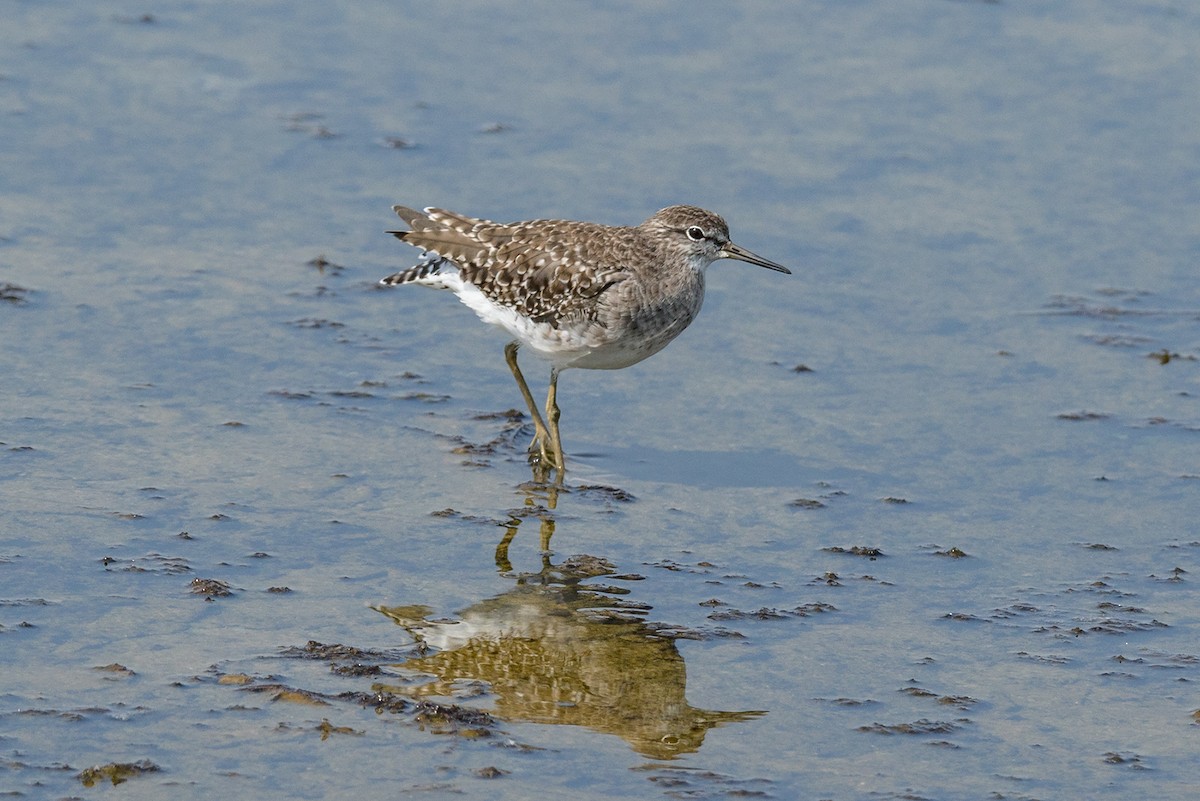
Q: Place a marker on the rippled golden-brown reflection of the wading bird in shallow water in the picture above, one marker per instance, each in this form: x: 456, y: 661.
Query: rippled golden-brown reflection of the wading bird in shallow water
x: 560, y: 648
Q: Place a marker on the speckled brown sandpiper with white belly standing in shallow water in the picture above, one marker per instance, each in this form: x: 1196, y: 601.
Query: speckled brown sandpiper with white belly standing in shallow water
x: 578, y: 294
